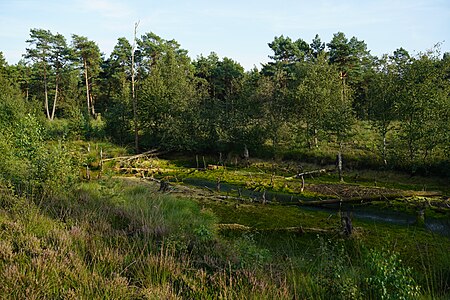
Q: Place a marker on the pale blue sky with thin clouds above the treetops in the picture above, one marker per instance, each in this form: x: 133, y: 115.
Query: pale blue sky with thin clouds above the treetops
x: 237, y: 29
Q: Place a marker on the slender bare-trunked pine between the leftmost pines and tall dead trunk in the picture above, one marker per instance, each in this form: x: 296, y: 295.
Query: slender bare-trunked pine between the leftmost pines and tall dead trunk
x: 90, y: 57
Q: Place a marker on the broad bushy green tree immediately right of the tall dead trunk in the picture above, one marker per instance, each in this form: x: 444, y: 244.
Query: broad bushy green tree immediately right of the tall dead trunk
x: 167, y: 96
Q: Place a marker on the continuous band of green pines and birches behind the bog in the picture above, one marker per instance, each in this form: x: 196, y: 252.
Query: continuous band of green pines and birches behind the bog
x: 149, y: 93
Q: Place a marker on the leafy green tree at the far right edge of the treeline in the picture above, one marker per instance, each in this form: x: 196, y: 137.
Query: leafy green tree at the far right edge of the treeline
x: 423, y: 107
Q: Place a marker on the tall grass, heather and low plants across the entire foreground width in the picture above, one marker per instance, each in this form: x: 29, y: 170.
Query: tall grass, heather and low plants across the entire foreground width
x: 121, y: 239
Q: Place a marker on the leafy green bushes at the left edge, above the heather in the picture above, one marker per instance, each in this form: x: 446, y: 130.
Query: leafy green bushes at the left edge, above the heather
x: 27, y: 163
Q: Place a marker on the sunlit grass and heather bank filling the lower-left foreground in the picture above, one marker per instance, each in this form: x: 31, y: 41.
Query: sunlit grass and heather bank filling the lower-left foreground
x: 118, y: 239
